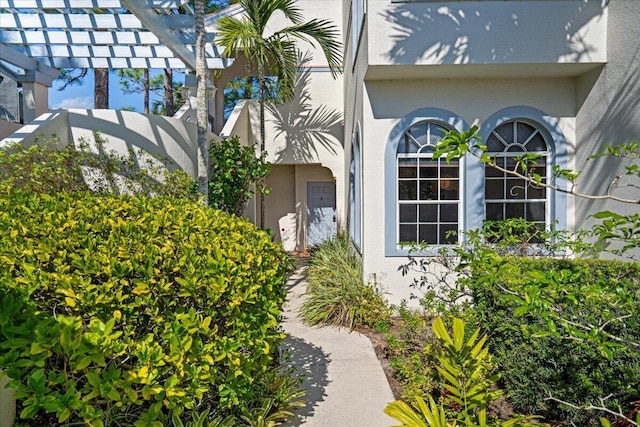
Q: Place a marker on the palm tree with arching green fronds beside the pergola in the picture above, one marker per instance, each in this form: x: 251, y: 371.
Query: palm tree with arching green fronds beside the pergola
x: 276, y: 54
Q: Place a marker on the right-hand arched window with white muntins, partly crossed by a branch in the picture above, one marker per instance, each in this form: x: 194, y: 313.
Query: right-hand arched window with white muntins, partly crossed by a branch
x: 506, y: 196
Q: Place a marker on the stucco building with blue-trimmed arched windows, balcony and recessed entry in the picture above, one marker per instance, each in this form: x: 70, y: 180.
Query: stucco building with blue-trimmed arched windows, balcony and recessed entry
x: 556, y: 78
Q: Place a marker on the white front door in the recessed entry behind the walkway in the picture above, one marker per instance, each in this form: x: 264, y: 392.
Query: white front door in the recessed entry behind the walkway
x: 321, y: 212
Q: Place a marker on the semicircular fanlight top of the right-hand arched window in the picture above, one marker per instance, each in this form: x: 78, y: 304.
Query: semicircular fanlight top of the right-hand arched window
x: 516, y: 136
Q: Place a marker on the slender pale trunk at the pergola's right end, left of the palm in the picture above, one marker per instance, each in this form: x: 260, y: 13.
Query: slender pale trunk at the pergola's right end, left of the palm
x: 201, y: 96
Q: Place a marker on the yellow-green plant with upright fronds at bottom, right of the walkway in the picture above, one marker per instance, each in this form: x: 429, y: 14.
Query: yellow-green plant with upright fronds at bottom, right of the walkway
x: 465, y: 367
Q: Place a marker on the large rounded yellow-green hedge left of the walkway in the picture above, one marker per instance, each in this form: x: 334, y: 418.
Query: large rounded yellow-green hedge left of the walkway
x: 122, y: 311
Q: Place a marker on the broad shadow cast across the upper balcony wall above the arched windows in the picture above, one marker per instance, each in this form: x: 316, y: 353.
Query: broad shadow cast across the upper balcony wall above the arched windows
x: 493, y: 32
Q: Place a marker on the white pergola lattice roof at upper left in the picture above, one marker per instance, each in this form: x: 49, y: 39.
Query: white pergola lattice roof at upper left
x: 102, y: 34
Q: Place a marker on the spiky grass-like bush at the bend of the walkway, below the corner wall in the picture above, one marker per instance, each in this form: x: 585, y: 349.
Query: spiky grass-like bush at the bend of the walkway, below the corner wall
x: 336, y: 293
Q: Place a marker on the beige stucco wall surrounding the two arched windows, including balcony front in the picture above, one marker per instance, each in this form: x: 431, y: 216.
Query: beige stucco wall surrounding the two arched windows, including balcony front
x: 475, y: 58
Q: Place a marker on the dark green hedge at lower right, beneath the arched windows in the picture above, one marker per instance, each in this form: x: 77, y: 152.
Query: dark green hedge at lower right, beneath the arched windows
x: 533, y: 367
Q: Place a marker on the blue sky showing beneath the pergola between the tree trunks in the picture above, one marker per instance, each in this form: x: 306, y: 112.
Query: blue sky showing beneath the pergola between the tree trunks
x: 82, y: 96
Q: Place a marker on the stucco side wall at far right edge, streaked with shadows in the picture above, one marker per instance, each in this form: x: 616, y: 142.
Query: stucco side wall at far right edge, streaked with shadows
x: 609, y: 111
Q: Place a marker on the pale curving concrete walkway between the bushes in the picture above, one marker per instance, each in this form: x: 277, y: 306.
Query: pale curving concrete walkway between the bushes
x: 345, y: 384
